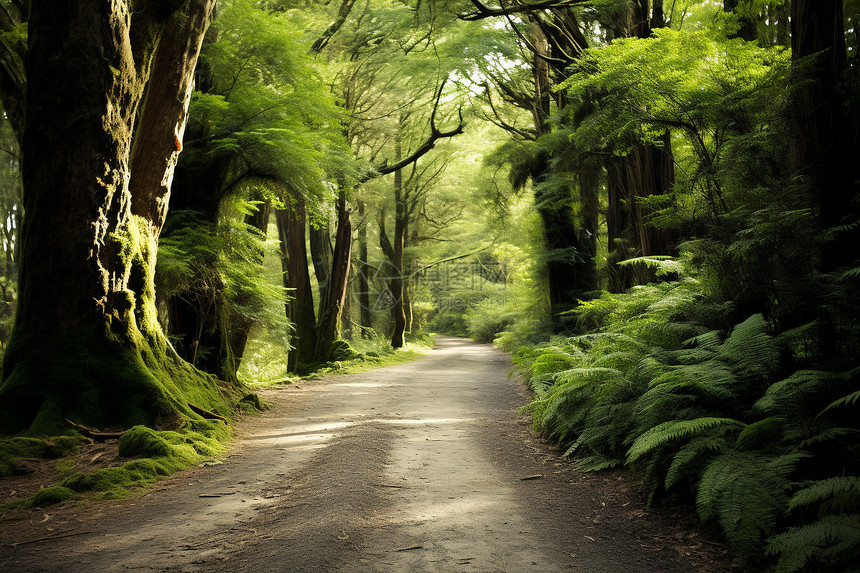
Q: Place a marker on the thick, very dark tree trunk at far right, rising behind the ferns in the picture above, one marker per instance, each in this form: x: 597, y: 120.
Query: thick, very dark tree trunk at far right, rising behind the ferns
x: 824, y: 153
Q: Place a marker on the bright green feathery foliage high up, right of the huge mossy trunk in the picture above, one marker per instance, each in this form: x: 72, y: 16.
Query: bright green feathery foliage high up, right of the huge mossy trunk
x: 265, y: 112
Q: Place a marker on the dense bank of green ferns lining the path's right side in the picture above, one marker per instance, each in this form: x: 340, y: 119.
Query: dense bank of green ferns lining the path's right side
x: 725, y: 416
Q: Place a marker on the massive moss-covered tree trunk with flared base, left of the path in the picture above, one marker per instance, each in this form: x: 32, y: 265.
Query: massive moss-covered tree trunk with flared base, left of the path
x: 97, y: 166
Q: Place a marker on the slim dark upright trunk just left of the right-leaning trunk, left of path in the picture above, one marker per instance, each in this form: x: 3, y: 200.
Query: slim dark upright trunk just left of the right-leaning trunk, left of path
x: 294, y: 262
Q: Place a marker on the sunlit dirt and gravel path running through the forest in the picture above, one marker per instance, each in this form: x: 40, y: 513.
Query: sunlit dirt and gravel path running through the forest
x: 422, y: 467
